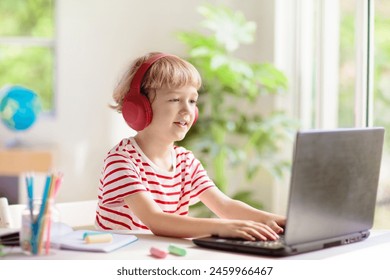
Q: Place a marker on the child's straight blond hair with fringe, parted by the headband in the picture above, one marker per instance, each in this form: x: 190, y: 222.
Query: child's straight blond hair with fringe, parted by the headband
x: 166, y: 72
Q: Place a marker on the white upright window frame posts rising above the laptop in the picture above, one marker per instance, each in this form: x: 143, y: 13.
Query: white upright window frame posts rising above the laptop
x: 313, y: 68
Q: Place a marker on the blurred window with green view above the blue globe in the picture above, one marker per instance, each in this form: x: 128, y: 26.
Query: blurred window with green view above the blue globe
x: 27, y: 47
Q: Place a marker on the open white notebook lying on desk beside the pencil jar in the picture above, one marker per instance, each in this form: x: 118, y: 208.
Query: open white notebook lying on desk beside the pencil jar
x: 75, y: 241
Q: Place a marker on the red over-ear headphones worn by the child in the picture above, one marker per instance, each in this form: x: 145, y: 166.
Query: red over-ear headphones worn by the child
x: 136, y: 108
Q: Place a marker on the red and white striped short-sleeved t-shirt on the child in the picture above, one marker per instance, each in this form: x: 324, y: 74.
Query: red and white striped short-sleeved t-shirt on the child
x: 127, y: 171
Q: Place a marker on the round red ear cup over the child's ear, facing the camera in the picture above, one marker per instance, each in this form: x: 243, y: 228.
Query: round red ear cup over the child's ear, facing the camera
x: 137, y: 112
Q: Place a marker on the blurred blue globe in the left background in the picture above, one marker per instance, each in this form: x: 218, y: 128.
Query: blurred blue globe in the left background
x: 19, y: 108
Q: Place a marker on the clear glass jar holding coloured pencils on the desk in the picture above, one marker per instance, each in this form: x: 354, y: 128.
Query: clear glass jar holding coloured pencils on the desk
x: 39, y: 222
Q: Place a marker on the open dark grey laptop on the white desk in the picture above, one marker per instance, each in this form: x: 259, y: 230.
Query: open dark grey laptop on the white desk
x: 332, y: 197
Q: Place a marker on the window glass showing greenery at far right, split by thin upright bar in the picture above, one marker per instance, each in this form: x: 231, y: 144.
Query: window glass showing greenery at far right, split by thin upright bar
x: 367, y: 22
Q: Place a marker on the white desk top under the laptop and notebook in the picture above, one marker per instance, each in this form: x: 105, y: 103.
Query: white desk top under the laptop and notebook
x: 376, y: 247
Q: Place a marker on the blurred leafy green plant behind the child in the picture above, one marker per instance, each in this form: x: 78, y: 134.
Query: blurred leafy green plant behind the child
x: 230, y: 130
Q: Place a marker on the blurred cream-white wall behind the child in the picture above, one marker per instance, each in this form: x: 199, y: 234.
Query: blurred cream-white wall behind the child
x: 96, y: 39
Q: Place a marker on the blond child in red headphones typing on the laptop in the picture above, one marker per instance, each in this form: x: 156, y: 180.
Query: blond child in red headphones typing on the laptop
x: 148, y: 182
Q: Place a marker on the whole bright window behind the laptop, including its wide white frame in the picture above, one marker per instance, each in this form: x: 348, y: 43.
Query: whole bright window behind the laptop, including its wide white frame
x: 341, y: 72
